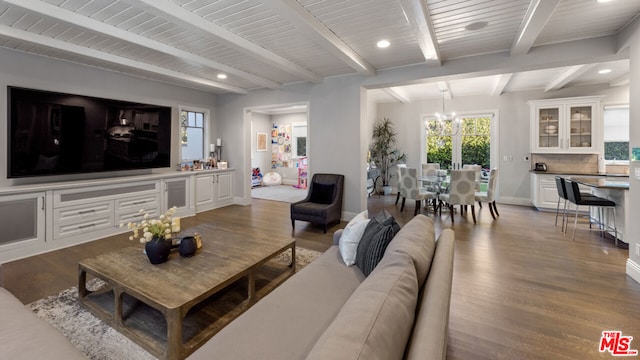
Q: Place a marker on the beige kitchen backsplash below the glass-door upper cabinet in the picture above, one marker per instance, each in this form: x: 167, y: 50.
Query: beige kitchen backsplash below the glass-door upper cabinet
x: 567, y: 163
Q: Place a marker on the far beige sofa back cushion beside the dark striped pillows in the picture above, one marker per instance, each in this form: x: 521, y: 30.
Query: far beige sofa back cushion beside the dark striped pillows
x: 418, y: 240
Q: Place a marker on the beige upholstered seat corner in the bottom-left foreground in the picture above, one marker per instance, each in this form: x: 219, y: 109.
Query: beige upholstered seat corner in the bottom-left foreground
x: 25, y: 336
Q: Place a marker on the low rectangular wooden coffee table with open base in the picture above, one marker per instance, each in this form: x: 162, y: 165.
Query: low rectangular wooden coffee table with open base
x: 171, y: 309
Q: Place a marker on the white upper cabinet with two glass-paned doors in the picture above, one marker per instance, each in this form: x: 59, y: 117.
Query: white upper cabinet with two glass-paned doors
x: 568, y: 125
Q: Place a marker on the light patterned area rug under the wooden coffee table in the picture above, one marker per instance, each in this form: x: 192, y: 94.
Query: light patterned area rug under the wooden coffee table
x: 96, y: 339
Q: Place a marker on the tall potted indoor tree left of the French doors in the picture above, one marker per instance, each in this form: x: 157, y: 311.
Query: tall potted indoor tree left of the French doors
x: 383, y: 152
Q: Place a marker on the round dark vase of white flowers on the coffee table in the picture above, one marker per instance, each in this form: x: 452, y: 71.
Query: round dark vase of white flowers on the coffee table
x: 156, y: 234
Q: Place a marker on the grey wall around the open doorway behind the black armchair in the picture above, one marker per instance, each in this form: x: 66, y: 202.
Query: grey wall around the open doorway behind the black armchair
x: 334, y: 127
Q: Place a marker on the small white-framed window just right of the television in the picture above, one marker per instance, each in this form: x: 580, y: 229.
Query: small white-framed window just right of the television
x: 192, y: 125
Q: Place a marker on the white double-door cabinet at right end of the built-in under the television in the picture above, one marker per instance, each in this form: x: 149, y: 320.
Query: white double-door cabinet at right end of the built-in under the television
x: 214, y: 190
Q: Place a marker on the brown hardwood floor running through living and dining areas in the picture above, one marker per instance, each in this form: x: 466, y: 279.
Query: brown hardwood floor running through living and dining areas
x: 521, y: 288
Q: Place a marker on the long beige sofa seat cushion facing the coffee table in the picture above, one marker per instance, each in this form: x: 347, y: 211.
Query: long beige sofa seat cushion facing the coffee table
x: 286, y: 323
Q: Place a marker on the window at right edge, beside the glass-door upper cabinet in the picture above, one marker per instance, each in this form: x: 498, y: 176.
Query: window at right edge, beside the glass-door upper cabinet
x: 616, y: 133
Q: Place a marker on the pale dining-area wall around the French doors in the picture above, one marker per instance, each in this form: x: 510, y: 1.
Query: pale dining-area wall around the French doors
x: 513, y: 141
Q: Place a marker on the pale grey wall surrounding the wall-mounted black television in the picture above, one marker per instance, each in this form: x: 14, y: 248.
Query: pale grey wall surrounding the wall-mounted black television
x: 30, y: 71
